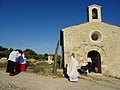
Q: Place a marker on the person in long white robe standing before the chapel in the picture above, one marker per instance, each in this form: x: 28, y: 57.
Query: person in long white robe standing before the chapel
x: 72, y: 69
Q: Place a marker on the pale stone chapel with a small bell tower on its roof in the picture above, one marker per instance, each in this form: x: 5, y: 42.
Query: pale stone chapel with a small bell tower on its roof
x: 95, y: 39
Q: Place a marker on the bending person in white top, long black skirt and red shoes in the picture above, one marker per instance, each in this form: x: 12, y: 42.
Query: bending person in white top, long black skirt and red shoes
x: 11, y: 62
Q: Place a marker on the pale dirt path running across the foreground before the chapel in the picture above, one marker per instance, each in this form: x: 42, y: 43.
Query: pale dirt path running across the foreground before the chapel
x: 30, y: 81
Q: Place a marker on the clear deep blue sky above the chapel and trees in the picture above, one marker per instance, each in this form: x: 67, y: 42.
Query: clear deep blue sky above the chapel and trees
x: 36, y: 24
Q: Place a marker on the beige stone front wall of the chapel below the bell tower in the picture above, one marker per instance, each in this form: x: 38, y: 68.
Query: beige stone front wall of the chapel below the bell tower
x: 77, y: 39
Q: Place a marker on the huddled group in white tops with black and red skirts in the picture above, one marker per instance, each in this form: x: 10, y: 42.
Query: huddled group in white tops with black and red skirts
x: 16, y: 62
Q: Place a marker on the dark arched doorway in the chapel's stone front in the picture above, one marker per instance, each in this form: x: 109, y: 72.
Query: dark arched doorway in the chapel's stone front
x: 96, y: 61
